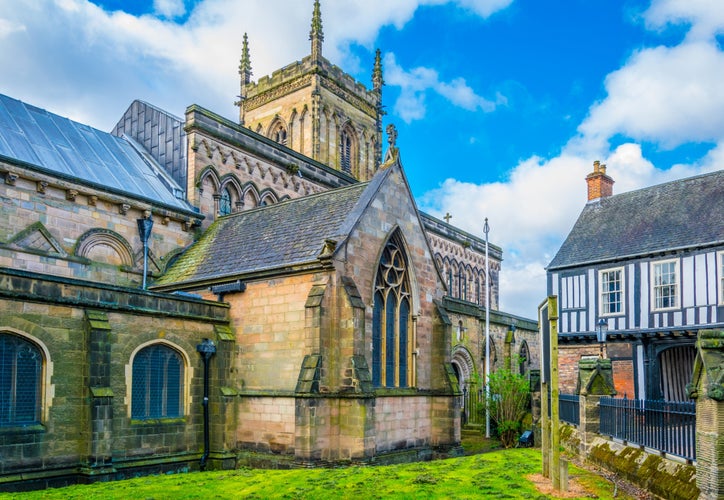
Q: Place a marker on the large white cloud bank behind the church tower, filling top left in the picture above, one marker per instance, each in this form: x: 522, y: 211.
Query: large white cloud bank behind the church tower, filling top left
x: 174, y: 65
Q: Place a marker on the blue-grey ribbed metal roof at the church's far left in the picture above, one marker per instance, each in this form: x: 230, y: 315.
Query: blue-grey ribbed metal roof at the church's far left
x: 73, y: 150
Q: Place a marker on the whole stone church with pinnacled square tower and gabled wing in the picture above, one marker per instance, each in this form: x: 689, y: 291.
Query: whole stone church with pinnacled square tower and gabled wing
x: 189, y: 293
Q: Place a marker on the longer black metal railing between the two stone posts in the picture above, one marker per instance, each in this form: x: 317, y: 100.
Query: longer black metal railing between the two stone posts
x: 666, y: 426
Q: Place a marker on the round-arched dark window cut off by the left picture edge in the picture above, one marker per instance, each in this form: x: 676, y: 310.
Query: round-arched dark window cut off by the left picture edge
x: 21, y: 365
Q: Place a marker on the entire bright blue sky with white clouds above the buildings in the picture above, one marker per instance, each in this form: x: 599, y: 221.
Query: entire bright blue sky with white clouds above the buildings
x: 501, y: 105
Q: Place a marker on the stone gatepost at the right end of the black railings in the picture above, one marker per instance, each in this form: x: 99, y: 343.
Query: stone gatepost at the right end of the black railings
x: 707, y: 387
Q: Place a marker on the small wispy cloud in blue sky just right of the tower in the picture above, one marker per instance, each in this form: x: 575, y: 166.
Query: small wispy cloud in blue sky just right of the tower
x: 416, y: 83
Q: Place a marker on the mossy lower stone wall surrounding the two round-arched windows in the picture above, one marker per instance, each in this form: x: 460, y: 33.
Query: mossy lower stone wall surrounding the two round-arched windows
x: 85, y: 428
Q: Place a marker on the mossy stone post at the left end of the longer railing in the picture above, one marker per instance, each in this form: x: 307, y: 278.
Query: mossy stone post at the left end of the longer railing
x: 595, y: 379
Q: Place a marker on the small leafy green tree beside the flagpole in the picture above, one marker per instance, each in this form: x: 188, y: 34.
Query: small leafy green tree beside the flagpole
x: 508, y: 403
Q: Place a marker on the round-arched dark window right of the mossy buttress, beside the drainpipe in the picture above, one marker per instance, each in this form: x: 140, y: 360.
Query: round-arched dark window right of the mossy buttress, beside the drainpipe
x: 157, y: 390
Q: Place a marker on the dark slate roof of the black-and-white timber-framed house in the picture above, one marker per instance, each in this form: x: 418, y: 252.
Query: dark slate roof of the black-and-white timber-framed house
x: 681, y: 214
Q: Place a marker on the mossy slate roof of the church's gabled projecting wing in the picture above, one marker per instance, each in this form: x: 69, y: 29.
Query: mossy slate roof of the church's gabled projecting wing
x: 275, y: 237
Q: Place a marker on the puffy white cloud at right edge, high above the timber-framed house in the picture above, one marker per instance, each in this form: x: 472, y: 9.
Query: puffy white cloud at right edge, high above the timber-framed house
x: 665, y: 95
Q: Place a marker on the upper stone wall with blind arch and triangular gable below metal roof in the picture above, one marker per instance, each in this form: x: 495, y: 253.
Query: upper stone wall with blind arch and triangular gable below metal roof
x: 63, y: 229
